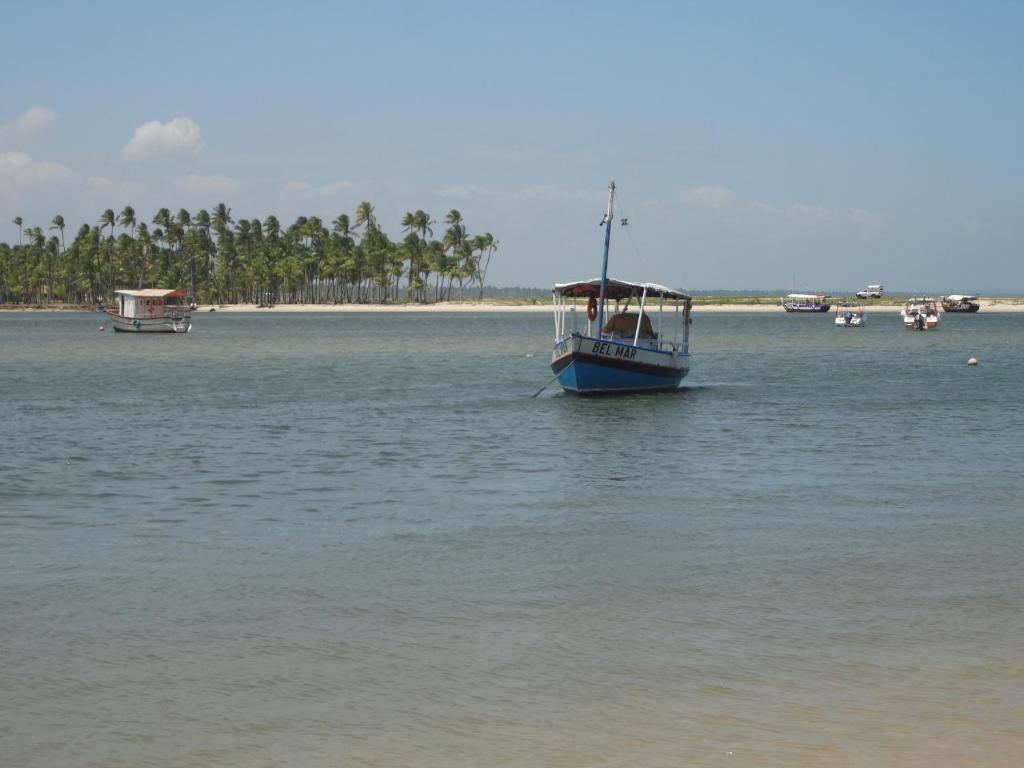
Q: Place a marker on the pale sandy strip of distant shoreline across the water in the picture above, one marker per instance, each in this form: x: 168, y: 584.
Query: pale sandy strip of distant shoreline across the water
x: 1000, y: 306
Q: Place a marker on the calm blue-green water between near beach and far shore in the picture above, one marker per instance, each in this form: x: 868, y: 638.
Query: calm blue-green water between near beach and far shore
x: 357, y: 541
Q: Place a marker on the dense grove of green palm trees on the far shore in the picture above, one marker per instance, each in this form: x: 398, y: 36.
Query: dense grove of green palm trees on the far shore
x: 220, y: 261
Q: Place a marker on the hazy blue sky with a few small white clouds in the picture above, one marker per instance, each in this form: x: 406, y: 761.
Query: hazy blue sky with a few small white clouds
x: 755, y: 146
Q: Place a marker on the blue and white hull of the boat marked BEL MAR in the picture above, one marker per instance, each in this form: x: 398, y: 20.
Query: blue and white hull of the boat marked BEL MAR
x: 588, y: 366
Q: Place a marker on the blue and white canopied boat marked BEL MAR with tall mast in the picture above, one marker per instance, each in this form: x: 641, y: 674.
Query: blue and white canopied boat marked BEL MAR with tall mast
x: 616, y: 350
